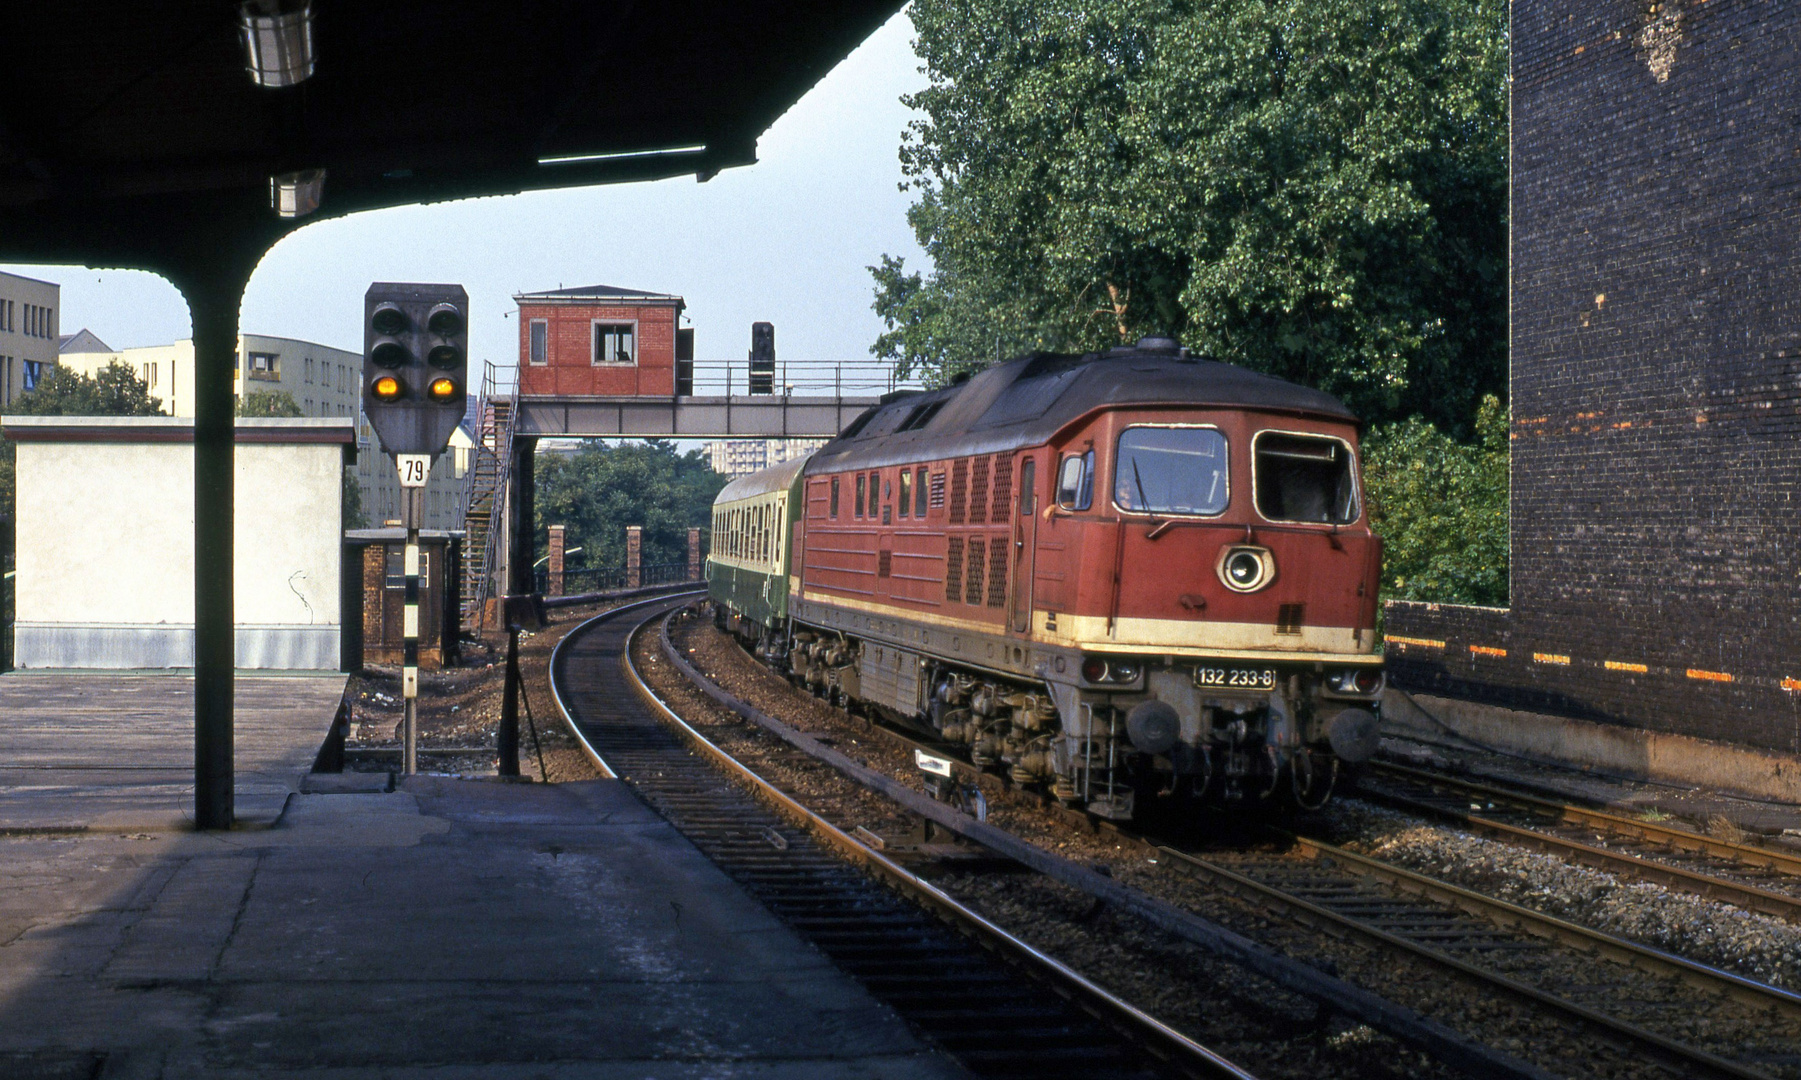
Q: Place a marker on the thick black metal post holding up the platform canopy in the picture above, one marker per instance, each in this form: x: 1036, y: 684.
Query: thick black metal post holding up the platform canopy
x: 215, y: 316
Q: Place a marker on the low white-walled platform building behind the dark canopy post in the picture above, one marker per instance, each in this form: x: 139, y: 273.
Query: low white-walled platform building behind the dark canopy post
x: 107, y: 541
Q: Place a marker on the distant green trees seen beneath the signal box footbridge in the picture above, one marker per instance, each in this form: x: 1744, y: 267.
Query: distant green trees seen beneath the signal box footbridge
x: 601, y: 490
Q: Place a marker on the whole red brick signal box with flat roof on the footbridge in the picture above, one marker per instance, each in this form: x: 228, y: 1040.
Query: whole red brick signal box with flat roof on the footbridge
x: 601, y: 341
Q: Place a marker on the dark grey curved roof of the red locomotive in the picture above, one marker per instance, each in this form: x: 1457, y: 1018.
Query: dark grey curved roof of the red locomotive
x: 1029, y: 400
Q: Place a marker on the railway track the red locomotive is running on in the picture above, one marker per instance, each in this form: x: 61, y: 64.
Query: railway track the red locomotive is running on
x: 1640, y: 996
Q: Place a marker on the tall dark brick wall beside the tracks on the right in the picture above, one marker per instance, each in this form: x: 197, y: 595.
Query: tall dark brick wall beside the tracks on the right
x: 1656, y: 379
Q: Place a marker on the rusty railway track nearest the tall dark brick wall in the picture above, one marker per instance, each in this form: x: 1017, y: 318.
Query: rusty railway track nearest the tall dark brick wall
x: 1746, y: 876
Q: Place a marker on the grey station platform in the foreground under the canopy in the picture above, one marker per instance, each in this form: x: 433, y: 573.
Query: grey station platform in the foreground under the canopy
x: 448, y: 930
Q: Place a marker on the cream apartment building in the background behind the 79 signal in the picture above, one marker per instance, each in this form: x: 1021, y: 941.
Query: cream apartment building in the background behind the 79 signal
x: 323, y: 382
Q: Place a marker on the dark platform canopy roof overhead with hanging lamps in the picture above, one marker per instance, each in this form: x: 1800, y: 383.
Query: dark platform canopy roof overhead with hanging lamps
x: 132, y: 136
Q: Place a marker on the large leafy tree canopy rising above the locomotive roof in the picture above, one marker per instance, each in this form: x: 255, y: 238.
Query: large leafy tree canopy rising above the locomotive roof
x: 1310, y: 188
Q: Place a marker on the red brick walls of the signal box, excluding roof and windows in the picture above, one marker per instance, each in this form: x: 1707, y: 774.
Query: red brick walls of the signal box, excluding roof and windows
x: 572, y: 370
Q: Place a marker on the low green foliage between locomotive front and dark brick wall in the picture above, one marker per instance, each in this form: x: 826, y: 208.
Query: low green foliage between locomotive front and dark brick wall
x: 1442, y: 508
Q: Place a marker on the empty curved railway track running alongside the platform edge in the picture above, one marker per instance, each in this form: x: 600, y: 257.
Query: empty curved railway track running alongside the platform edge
x: 945, y: 969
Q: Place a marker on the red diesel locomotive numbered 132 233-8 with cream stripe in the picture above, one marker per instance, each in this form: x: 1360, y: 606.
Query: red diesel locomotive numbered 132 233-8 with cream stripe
x: 1121, y: 575
